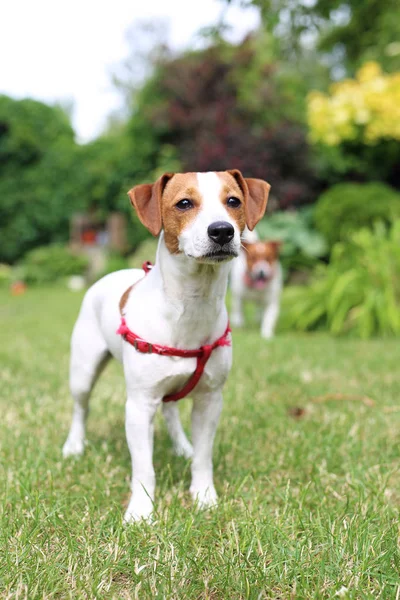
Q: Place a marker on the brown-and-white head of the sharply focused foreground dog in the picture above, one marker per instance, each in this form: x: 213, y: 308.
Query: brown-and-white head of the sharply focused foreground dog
x: 202, y: 214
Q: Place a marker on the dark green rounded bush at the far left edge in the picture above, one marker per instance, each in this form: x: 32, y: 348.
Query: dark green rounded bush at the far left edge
x: 36, y: 159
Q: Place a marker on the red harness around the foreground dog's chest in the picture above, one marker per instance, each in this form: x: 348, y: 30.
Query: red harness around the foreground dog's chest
x: 202, y: 354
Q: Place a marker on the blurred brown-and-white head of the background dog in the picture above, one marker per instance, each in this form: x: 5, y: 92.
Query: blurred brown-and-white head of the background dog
x: 261, y: 258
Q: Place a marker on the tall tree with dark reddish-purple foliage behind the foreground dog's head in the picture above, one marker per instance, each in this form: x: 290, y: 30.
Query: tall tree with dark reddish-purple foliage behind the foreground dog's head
x: 226, y: 107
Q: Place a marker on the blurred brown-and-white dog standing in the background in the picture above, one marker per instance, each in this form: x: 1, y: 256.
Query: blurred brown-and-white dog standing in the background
x: 257, y: 276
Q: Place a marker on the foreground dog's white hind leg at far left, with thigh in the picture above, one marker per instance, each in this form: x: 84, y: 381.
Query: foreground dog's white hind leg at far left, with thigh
x: 89, y: 355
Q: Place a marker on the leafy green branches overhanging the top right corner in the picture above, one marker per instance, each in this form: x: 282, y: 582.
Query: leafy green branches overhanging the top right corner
x: 347, y: 33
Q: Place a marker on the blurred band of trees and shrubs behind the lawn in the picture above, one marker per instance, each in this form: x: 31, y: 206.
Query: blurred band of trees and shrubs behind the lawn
x: 310, y: 102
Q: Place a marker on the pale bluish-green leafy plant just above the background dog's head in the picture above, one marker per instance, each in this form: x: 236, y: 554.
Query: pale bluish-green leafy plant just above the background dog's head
x: 302, y: 245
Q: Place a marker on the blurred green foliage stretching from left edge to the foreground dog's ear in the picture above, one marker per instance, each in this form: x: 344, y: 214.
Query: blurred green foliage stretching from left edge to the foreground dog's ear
x: 45, y: 177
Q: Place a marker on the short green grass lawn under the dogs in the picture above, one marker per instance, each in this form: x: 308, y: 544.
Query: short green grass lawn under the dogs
x: 308, y: 505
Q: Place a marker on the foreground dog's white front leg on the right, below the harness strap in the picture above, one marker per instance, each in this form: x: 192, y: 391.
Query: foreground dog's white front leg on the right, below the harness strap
x: 205, y: 416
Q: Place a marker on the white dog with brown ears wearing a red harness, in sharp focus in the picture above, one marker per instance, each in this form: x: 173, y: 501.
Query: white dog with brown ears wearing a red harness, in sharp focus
x: 170, y: 327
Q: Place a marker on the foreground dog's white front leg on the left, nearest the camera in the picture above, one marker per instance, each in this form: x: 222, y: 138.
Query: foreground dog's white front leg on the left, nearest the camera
x: 140, y: 411
